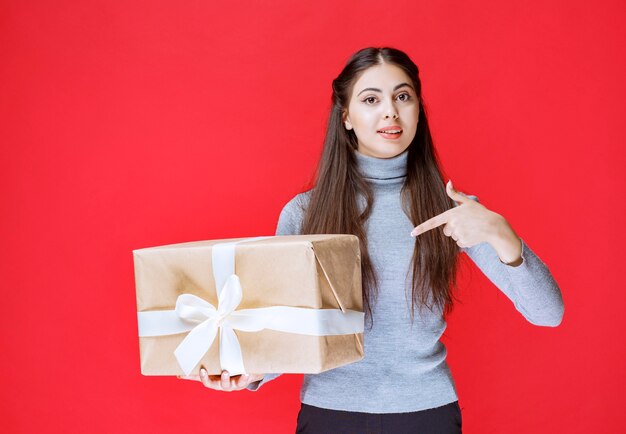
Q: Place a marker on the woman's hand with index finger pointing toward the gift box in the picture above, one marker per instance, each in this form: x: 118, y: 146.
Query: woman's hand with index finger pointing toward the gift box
x: 471, y: 223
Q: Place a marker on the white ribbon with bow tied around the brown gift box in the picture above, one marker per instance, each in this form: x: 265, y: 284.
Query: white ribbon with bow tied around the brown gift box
x: 203, y: 321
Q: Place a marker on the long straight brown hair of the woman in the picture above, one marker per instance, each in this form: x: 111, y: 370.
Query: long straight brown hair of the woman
x: 333, y: 207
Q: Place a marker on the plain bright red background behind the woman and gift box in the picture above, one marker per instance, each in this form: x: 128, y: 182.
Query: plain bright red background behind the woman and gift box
x: 135, y: 124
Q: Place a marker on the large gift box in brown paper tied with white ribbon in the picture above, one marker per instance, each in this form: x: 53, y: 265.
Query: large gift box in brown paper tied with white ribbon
x: 280, y: 304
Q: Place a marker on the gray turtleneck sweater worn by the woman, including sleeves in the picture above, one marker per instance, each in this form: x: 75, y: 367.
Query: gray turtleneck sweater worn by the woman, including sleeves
x: 404, y: 368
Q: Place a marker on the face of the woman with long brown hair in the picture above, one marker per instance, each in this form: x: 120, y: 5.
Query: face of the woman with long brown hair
x: 383, y: 98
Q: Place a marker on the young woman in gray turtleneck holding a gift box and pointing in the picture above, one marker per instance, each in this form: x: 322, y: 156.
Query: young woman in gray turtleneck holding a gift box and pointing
x: 379, y: 178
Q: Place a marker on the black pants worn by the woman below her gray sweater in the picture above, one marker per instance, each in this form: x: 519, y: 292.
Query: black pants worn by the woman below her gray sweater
x: 440, y: 420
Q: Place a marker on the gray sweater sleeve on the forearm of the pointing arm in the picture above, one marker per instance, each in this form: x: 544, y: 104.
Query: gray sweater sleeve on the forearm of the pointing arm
x: 530, y: 285
